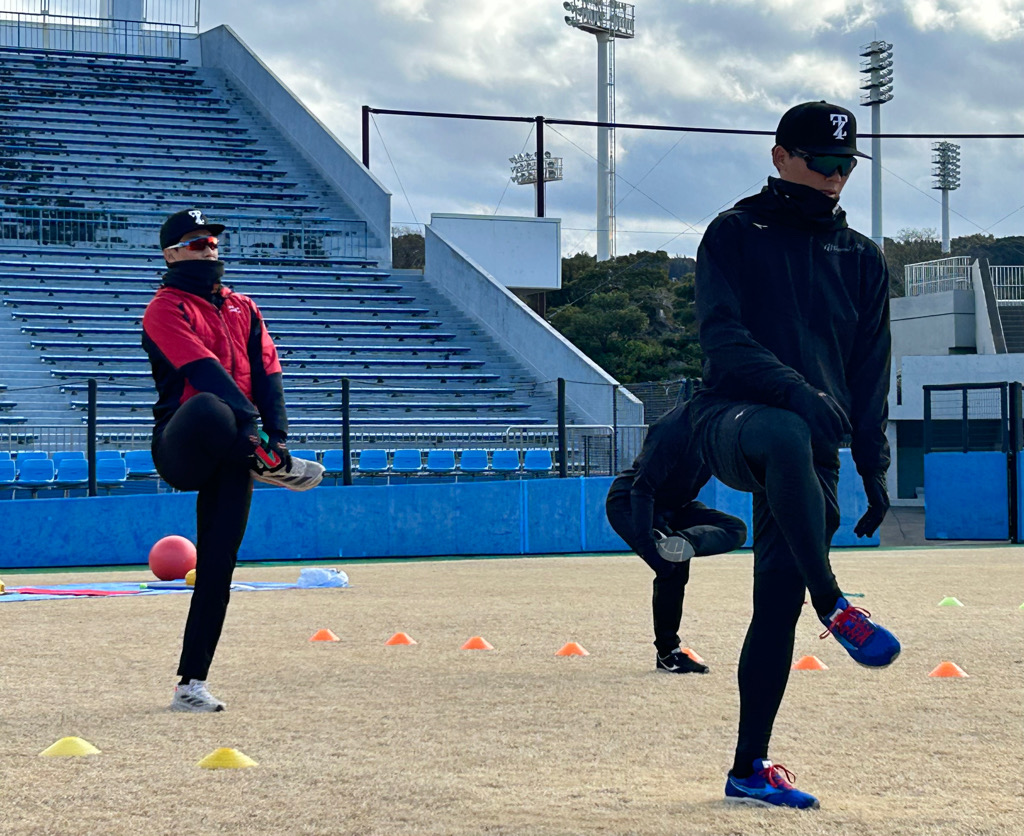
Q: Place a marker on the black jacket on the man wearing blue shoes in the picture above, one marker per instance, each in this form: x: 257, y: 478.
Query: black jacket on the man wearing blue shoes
x: 789, y: 296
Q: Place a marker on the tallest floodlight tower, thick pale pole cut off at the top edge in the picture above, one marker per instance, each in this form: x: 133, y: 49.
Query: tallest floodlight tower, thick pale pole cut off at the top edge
x: 608, y: 20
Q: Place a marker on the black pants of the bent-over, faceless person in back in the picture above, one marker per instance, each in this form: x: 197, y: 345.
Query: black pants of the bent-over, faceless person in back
x: 710, y: 532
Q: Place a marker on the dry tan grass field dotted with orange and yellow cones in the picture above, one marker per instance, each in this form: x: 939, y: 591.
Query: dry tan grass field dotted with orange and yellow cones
x: 359, y: 738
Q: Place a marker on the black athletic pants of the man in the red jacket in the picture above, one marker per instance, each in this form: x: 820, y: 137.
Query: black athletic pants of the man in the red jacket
x: 199, y: 451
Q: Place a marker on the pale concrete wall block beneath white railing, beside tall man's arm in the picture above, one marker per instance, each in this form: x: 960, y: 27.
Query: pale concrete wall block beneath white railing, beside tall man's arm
x: 932, y: 324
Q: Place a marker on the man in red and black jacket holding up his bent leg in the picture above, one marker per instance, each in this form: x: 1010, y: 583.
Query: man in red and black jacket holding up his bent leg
x: 218, y: 377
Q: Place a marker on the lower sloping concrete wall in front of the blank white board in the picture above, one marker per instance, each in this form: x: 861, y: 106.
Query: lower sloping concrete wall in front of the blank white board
x: 545, y: 353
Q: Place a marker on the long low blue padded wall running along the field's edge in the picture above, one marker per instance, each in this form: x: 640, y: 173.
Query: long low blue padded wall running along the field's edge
x: 515, y: 517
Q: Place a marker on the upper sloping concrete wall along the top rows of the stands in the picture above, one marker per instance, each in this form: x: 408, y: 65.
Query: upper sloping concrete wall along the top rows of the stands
x: 225, y: 51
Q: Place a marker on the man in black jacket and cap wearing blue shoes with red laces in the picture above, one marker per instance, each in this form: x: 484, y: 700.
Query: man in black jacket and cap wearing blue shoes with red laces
x: 793, y: 308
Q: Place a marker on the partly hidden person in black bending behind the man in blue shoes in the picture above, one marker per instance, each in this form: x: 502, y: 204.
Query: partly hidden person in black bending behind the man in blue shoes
x: 654, y: 507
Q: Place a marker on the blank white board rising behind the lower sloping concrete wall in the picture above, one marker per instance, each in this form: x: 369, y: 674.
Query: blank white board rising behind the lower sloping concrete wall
x: 525, y: 254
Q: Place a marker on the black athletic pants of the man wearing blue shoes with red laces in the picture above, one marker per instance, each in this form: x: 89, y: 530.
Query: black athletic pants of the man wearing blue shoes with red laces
x: 769, y: 452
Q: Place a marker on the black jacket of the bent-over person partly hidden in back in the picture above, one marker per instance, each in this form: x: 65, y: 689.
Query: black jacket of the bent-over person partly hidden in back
x: 667, y: 475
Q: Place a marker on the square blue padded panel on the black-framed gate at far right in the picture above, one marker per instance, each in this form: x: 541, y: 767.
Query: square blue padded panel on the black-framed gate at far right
x: 966, y: 496
